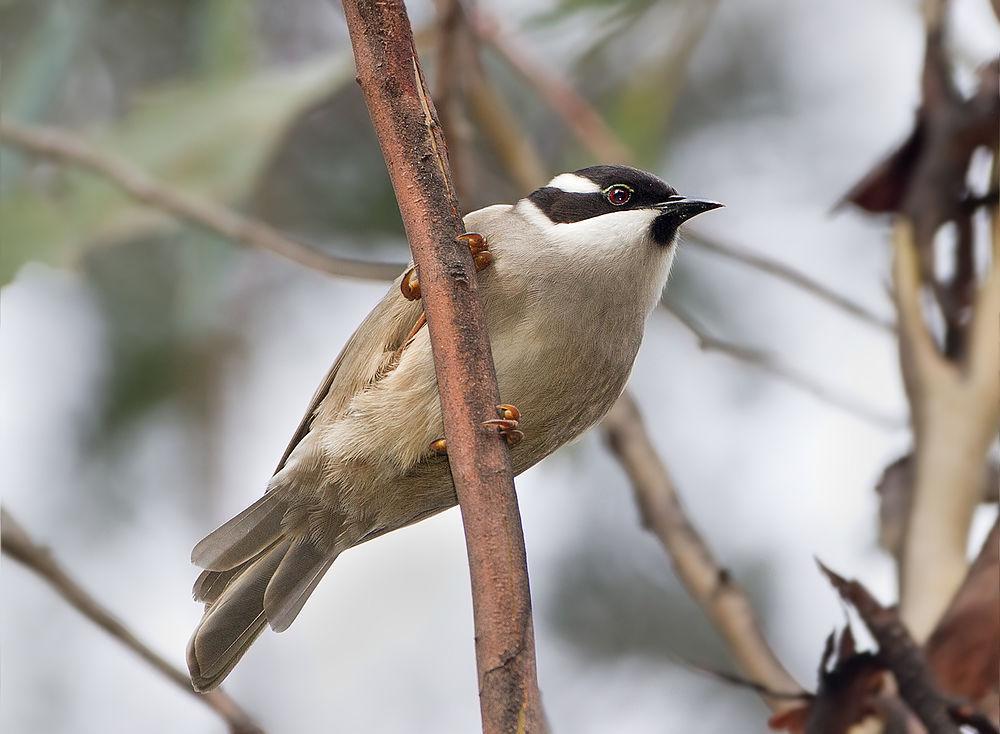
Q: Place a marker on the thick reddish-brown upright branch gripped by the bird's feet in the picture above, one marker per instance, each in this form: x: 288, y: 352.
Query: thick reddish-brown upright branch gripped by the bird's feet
x: 414, y: 149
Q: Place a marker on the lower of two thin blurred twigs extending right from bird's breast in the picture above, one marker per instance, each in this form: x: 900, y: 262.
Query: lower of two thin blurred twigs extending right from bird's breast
x: 767, y: 363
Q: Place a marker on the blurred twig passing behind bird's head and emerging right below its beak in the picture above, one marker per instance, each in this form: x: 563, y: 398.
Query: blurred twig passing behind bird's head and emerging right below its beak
x: 595, y: 135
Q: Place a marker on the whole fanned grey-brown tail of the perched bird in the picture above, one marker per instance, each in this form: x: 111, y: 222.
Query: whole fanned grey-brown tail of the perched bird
x: 256, y: 574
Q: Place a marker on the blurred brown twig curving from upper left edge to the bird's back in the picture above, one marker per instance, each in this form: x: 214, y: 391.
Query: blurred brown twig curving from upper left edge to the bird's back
x: 65, y: 148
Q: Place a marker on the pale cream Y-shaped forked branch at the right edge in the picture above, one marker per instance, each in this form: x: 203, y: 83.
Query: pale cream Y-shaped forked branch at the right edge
x: 955, y: 412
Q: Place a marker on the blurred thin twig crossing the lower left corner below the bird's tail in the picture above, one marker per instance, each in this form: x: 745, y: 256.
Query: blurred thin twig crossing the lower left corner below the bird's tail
x: 18, y: 545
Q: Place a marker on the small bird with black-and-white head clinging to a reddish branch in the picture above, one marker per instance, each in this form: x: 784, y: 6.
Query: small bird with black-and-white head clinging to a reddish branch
x: 567, y: 275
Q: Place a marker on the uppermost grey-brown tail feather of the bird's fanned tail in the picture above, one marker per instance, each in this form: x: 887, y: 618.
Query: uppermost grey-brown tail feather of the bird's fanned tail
x: 243, y: 537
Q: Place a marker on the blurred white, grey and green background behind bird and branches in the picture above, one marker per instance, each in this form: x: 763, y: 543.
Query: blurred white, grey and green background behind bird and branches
x: 152, y: 372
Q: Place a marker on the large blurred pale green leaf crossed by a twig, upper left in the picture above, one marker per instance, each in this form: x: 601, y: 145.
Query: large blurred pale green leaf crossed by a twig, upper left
x: 208, y: 138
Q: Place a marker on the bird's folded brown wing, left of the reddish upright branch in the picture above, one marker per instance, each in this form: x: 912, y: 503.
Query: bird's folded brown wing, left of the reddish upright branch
x: 368, y: 355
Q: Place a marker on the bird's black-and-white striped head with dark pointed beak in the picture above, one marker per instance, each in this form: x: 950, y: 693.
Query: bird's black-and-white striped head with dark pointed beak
x: 616, y: 205
